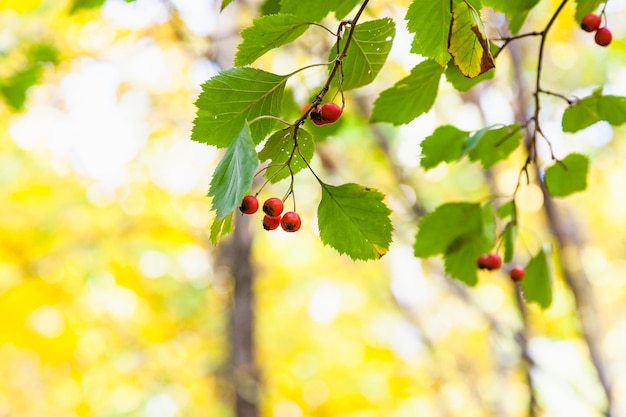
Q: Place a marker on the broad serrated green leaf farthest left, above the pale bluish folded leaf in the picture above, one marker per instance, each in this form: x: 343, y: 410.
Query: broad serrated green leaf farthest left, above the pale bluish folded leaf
x: 232, y: 97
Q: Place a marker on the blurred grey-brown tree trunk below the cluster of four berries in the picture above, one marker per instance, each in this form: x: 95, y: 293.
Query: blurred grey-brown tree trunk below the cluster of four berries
x: 237, y: 257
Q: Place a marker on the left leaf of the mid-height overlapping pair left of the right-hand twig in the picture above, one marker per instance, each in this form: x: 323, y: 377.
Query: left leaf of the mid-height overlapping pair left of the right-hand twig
x: 444, y: 145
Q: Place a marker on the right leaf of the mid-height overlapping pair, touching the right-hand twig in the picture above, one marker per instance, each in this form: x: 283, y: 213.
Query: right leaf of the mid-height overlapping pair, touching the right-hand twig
x: 496, y: 145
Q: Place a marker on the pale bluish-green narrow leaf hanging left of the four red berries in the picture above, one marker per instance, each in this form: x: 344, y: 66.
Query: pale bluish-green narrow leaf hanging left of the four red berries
x: 232, y: 178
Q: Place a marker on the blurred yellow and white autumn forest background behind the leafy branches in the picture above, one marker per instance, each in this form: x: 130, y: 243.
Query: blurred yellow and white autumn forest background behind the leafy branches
x: 113, y: 302
